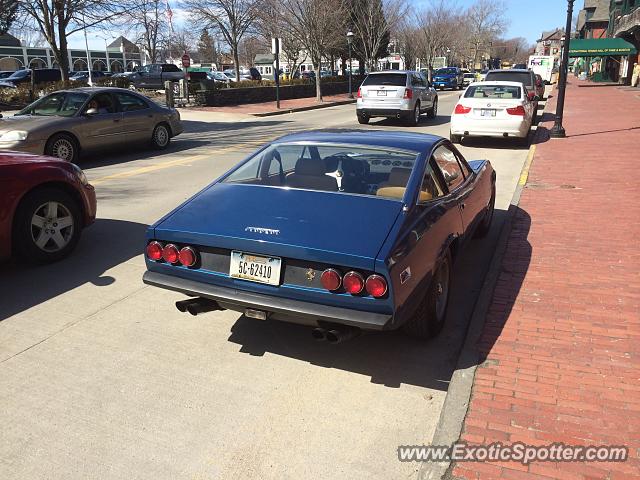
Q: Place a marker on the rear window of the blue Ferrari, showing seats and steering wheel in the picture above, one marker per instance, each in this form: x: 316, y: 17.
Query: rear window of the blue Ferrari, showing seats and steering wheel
x: 355, y: 169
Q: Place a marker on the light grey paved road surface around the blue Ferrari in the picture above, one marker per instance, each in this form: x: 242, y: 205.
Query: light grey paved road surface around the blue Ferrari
x: 101, y: 377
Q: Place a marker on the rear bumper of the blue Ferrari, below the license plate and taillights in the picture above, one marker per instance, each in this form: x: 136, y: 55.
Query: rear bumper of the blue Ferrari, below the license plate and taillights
x: 293, y: 311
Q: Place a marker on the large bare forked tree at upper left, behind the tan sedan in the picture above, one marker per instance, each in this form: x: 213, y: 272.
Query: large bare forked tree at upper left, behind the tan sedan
x: 58, y: 19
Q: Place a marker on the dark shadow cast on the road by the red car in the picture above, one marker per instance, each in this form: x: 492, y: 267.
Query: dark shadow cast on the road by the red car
x: 106, y: 244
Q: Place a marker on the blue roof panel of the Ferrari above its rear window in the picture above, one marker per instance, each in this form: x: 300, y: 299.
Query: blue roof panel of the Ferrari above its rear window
x: 377, y: 138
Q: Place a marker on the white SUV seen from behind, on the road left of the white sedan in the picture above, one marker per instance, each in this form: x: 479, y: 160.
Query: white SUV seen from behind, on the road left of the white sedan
x: 396, y: 94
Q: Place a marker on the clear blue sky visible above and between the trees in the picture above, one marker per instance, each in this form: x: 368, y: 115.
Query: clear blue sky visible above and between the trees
x: 523, y: 22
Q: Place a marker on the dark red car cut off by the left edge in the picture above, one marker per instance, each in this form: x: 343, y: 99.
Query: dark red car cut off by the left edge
x: 44, y: 205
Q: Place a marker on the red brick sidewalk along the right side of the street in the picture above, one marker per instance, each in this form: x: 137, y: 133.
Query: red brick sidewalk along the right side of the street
x: 561, y: 343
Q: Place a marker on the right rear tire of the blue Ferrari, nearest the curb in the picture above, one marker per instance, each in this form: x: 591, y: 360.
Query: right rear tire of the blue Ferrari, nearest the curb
x: 429, y: 318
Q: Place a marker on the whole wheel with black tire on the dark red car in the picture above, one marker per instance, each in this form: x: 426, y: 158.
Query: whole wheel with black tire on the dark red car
x: 36, y: 218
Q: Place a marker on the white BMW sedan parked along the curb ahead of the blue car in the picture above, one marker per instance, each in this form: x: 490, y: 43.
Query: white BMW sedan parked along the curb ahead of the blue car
x: 493, y: 109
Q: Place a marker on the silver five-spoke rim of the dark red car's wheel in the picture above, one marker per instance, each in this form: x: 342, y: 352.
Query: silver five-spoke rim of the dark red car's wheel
x: 52, y: 227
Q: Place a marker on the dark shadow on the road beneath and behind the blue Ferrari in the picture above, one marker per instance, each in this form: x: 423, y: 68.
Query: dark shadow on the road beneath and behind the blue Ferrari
x: 388, y: 358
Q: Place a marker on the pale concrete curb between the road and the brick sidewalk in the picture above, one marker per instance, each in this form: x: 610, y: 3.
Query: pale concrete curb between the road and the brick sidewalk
x: 456, y: 403
